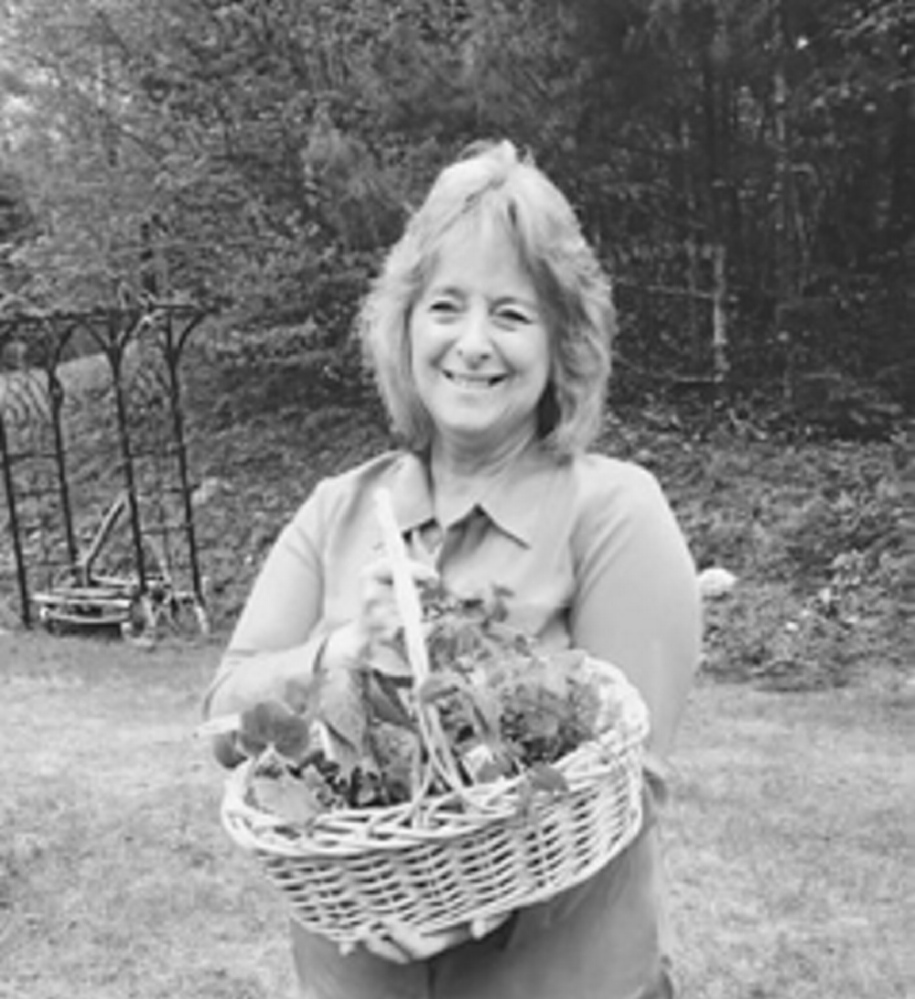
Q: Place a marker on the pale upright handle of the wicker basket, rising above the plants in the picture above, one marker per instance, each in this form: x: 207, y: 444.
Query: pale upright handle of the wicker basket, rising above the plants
x: 410, y: 611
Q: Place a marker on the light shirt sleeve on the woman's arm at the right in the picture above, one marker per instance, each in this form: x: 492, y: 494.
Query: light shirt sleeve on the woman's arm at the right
x: 637, y: 600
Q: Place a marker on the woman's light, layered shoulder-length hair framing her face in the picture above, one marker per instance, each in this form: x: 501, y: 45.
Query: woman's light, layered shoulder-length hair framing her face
x: 491, y: 181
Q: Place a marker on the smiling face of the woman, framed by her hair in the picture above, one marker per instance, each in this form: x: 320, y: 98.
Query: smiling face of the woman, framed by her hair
x: 480, y: 348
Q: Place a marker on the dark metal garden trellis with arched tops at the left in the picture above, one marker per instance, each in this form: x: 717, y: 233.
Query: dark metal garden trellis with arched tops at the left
x: 36, y: 393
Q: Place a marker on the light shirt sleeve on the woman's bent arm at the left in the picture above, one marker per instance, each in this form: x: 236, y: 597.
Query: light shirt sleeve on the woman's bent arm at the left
x: 277, y: 638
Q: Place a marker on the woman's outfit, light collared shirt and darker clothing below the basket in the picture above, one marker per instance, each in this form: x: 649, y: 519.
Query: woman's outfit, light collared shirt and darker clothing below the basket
x: 591, y: 557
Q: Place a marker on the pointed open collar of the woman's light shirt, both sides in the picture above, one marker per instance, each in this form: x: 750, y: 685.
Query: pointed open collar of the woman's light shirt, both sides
x: 511, y: 501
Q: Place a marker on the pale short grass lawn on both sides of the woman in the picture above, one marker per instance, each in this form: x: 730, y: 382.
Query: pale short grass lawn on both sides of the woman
x: 789, y: 838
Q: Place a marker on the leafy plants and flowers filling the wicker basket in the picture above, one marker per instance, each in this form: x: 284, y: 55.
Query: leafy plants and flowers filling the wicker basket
x: 493, y: 705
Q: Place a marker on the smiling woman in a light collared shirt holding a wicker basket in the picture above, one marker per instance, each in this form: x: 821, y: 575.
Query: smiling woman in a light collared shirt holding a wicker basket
x: 489, y: 334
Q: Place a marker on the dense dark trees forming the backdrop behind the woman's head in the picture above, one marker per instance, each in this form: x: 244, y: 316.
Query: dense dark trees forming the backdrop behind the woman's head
x: 745, y: 167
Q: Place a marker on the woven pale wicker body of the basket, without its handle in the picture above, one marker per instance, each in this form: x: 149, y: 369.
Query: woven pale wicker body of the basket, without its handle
x: 454, y: 858
